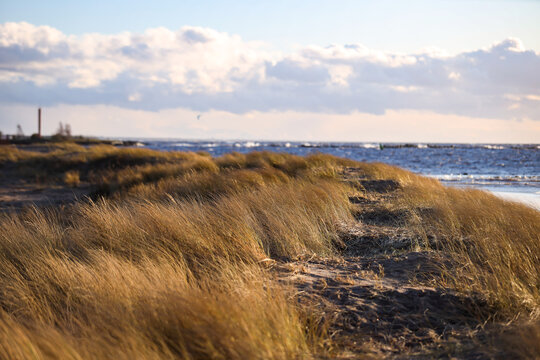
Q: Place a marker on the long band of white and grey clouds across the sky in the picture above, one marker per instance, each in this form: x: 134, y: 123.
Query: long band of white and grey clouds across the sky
x: 202, y: 69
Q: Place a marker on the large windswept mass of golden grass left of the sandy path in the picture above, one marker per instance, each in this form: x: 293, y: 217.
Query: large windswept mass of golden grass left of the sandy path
x: 165, y: 273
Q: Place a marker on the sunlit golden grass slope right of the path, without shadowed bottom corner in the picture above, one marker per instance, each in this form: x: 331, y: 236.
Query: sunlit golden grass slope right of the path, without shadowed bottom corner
x: 495, y: 242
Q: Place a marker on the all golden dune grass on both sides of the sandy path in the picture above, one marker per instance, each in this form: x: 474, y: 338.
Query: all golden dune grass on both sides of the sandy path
x: 171, y: 262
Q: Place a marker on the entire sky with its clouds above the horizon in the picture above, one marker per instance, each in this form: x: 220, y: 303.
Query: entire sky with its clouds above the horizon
x: 429, y: 71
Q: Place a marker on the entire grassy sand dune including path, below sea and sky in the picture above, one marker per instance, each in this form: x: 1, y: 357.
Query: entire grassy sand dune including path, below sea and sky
x: 293, y: 256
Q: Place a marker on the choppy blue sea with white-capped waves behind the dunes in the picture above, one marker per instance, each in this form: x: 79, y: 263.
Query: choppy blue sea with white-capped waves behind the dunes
x: 511, y: 171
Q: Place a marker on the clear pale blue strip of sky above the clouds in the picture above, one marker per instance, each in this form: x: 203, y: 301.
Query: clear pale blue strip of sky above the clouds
x: 453, y: 25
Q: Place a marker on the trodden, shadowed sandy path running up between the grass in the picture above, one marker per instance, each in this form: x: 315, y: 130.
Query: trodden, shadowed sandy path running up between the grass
x: 380, y: 297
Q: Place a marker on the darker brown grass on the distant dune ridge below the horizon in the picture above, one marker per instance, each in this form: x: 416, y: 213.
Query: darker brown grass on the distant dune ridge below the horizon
x: 112, y: 169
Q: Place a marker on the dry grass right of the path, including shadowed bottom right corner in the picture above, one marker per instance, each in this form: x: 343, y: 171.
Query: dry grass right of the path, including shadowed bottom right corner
x: 493, y: 244
